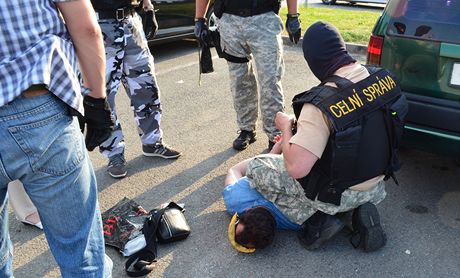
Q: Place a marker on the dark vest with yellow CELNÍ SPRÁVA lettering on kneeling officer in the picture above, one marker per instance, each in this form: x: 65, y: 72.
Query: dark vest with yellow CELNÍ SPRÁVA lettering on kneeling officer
x: 367, y: 122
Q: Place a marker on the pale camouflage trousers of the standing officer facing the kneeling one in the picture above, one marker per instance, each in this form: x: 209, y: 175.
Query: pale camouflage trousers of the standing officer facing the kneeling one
x: 259, y: 39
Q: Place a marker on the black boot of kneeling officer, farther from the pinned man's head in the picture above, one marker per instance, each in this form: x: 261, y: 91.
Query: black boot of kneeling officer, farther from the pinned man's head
x: 373, y: 235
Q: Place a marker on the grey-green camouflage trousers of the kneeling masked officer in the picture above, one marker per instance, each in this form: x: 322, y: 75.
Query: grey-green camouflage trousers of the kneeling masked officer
x: 268, y: 175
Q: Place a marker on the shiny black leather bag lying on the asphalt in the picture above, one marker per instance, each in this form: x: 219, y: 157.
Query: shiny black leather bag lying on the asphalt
x: 173, y: 226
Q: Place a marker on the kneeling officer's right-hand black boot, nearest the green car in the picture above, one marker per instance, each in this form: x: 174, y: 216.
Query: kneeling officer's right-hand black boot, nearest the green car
x: 367, y: 231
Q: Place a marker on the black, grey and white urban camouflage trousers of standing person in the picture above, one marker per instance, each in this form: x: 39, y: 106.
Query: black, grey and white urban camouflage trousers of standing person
x: 129, y: 61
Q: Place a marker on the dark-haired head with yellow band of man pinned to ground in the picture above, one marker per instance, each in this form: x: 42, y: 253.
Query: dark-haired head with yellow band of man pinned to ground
x: 251, y: 230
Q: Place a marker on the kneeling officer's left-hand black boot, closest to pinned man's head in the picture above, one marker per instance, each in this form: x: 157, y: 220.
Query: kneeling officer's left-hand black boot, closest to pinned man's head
x: 319, y: 228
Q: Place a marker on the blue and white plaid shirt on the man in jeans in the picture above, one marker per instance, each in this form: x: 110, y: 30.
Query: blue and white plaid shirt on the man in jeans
x: 36, y: 48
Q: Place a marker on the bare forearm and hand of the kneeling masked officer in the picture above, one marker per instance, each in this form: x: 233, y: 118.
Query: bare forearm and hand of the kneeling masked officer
x: 298, y: 160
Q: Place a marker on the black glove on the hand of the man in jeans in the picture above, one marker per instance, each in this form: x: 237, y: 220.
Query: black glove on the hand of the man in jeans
x: 98, y: 119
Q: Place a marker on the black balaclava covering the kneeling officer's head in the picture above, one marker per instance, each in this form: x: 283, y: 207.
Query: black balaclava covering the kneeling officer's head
x: 324, y: 49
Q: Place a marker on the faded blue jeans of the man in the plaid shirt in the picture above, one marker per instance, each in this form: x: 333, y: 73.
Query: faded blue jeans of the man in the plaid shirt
x: 42, y: 146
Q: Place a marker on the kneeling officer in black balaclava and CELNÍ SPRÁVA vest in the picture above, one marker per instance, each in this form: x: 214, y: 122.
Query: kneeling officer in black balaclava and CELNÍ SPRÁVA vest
x: 348, y: 129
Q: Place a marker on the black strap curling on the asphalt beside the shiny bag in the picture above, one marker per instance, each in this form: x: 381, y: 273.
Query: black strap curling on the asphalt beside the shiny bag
x: 141, y: 262
